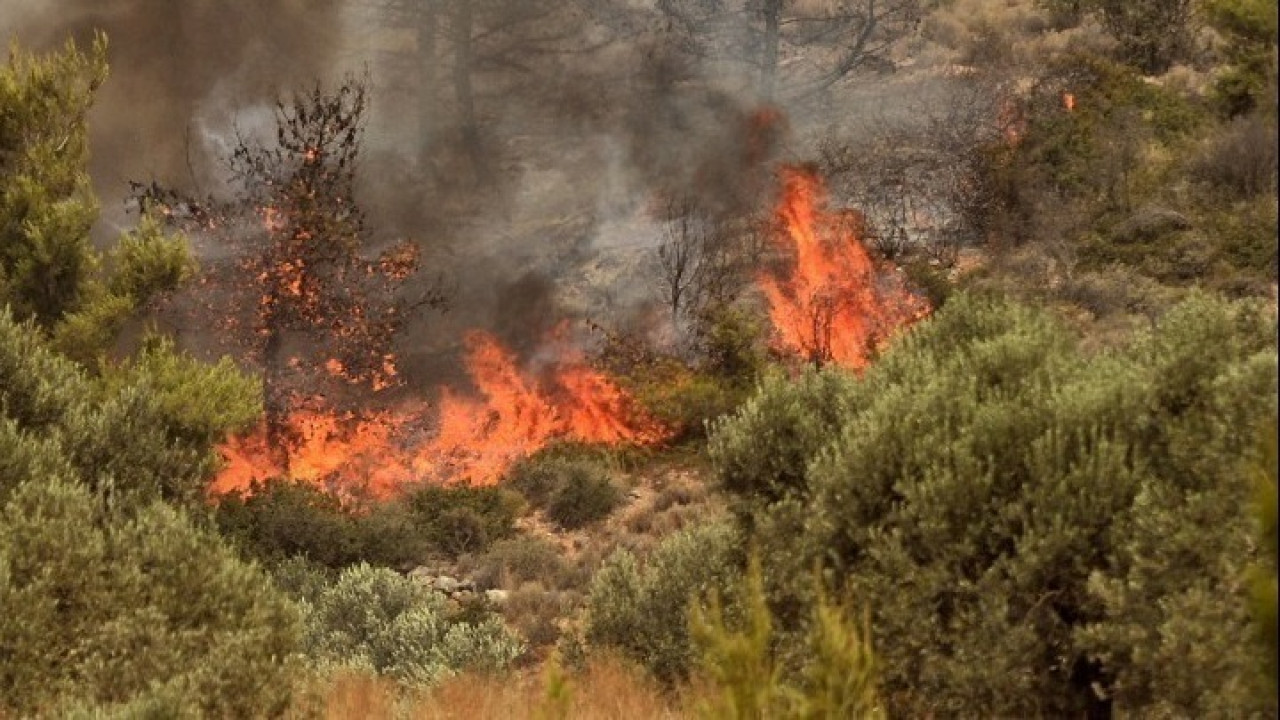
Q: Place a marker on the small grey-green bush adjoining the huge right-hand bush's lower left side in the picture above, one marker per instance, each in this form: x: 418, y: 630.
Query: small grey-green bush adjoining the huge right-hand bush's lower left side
x: 638, y: 609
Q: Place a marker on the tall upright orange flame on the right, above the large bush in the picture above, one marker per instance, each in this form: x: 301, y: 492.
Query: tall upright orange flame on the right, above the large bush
x: 834, y: 304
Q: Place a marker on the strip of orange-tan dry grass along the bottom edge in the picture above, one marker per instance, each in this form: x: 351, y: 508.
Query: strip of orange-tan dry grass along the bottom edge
x: 607, y: 690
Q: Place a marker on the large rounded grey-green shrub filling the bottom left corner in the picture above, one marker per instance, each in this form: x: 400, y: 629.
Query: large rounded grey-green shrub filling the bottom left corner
x: 104, y: 609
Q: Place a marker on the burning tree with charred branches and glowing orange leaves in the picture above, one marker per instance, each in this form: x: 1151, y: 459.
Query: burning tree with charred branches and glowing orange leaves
x: 307, y: 303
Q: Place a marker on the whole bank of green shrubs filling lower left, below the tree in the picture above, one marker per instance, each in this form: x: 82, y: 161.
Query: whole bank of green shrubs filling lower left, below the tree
x: 113, y: 599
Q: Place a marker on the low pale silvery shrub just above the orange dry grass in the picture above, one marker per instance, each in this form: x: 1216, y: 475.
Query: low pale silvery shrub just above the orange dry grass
x: 376, y: 619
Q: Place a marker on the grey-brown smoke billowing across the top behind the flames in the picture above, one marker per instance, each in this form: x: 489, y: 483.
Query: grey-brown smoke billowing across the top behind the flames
x: 586, y: 115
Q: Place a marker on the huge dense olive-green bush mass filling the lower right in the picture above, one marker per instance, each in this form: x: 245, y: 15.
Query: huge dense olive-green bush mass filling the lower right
x: 1039, y: 530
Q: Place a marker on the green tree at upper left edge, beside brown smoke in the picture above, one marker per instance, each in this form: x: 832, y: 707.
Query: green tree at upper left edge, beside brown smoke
x: 49, y: 270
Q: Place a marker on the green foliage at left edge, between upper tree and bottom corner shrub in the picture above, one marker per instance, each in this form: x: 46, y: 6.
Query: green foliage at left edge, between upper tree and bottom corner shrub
x: 144, y: 430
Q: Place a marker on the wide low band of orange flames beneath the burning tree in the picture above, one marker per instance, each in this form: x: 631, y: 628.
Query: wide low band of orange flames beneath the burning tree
x: 513, y: 414
